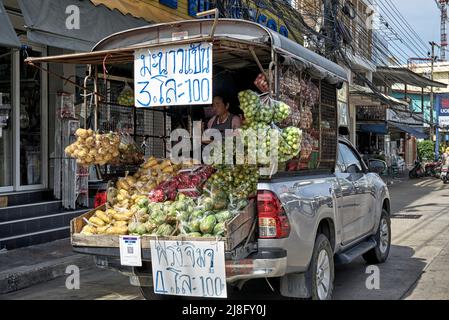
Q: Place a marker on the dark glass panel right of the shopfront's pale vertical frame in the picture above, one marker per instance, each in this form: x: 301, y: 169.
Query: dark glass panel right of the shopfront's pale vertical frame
x: 30, y: 122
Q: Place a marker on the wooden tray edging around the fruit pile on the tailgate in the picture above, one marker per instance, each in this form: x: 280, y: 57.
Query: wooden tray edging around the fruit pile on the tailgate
x: 238, y: 230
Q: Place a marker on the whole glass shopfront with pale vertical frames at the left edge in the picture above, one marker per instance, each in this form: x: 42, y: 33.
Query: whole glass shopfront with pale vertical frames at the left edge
x: 24, y: 128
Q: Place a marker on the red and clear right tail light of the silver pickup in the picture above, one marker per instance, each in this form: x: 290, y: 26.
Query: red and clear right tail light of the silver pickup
x: 273, y: 221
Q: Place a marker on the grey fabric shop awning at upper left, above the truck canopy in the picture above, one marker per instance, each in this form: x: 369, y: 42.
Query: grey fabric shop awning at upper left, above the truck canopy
x: 46, y: 22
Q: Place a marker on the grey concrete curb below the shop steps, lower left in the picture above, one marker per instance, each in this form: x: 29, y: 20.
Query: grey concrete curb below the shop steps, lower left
x: 27, y: 276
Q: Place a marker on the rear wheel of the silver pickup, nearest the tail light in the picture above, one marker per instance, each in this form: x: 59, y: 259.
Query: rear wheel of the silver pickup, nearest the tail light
x: 322, y: 269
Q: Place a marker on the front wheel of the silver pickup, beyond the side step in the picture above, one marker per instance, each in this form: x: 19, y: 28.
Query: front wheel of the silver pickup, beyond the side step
x: 383, y: 238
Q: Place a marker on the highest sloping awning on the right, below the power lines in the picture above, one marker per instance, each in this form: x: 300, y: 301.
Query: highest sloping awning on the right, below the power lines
x: 392, y: 75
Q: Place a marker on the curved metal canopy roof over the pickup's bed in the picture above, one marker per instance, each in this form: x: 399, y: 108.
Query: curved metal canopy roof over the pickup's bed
x: 119, y: 47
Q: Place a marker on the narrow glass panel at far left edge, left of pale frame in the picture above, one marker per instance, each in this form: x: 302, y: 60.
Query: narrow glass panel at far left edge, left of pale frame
x: 6, y: 150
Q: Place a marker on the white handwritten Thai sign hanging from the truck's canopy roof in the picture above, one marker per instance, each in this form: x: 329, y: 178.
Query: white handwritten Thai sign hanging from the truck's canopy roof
x: 175, y: 75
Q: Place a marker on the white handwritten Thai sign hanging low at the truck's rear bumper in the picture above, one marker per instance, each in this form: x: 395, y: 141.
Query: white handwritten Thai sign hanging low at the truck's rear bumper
x: 195, y: 269
